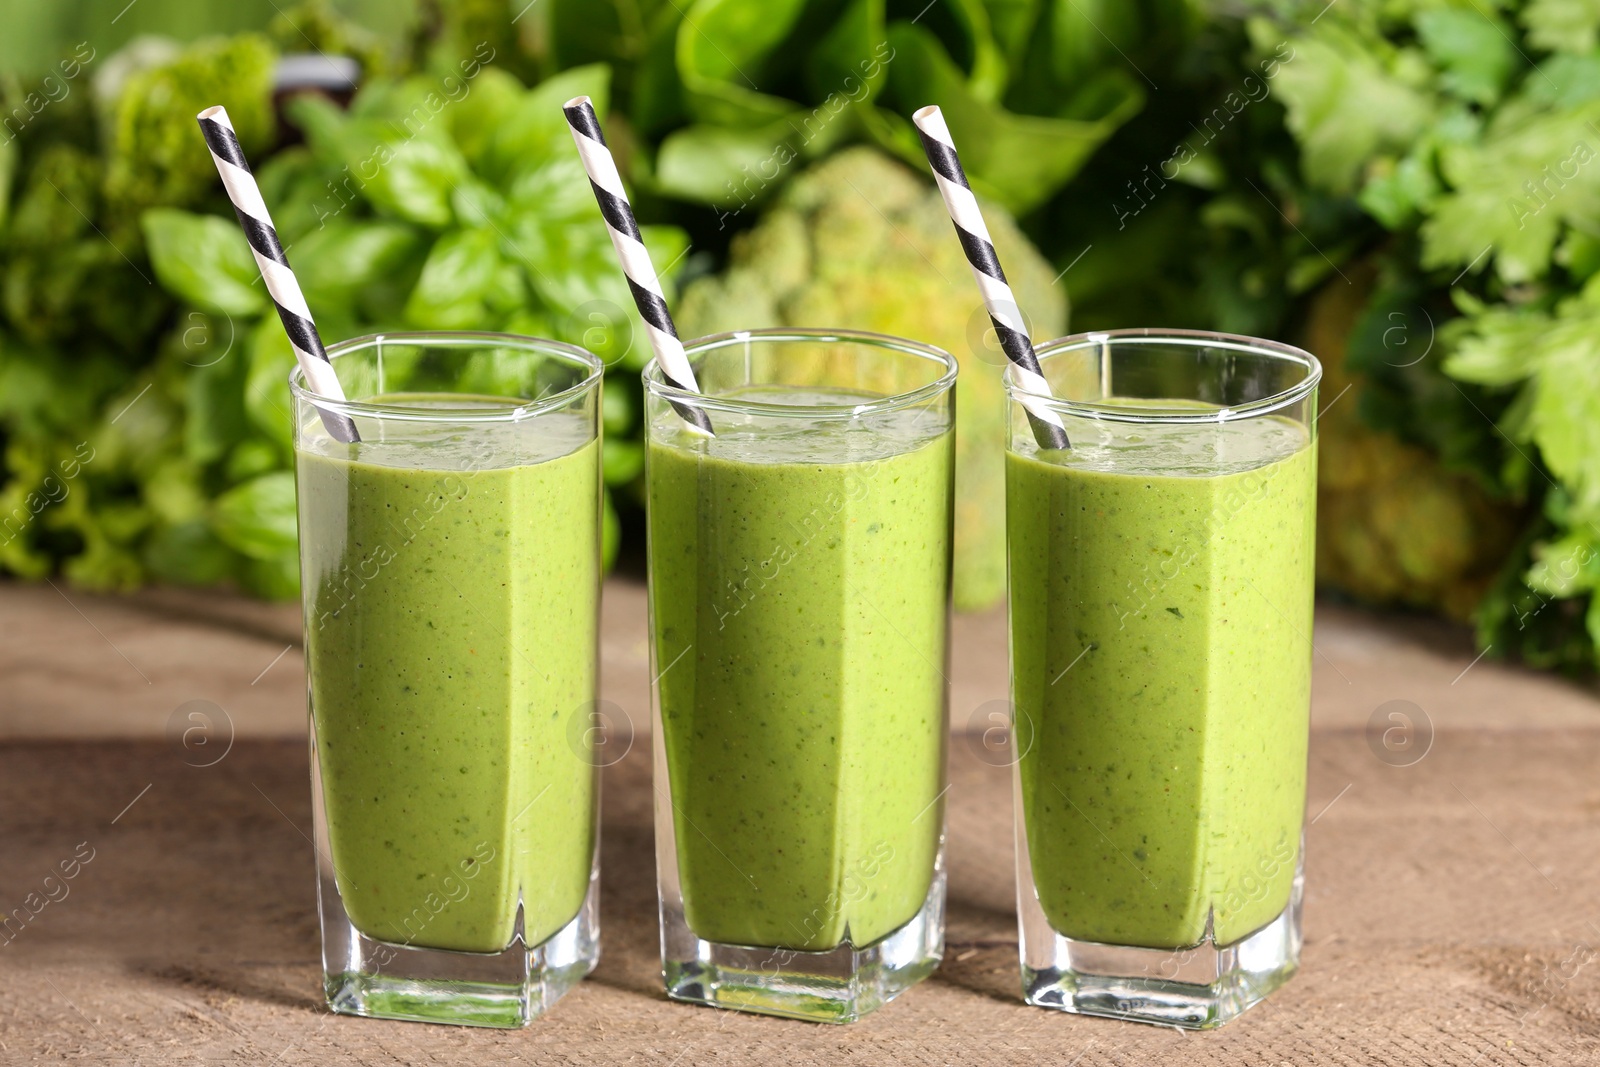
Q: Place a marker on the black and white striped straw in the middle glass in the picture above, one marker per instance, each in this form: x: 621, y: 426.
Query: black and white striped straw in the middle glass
x: 641, y: 274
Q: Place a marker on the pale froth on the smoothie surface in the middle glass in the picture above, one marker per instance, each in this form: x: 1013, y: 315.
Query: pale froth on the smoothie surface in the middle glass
x: 772, y: 439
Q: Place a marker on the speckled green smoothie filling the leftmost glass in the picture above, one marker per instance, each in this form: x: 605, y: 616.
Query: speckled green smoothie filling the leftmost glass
x: 452, y: 593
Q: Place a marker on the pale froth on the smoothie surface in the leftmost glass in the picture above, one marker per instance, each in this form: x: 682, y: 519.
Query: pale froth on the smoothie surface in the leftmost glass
x: 454, y: 446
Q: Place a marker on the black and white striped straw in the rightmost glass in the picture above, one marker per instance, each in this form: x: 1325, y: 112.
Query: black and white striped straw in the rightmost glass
x: 1004, y: 313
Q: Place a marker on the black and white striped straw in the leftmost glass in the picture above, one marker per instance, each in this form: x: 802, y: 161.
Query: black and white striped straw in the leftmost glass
x: 282, y: 287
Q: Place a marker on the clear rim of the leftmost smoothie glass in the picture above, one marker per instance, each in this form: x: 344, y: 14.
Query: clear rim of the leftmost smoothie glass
x: 458, y: 340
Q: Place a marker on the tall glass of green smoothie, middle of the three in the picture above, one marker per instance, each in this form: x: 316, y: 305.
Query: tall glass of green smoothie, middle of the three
x: 799, y: 607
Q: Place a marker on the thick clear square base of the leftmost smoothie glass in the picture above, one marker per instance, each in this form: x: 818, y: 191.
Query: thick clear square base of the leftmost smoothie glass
x: 502, y: 989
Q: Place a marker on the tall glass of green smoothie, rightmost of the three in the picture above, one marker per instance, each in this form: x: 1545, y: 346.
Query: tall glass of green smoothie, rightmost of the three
x: 1161, y: 581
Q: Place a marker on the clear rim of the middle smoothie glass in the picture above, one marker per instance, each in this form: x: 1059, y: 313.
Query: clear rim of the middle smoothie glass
x: 660, y: 388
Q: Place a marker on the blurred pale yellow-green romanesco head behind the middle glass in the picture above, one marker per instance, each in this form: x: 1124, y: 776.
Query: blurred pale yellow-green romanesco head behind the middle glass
x: 862, y: 242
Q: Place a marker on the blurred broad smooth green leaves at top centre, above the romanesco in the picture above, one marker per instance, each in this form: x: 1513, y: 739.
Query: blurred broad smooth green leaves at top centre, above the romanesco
x: 1031, y: 89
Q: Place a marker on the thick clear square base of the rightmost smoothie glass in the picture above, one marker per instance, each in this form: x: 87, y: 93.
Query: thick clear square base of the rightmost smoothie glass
x: 1198, y: 989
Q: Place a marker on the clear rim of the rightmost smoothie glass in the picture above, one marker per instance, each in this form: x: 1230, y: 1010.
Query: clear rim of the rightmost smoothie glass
x: 1185, y: 338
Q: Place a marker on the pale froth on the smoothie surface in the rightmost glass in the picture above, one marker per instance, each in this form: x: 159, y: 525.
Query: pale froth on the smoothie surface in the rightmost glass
x: 1180, y: 450
